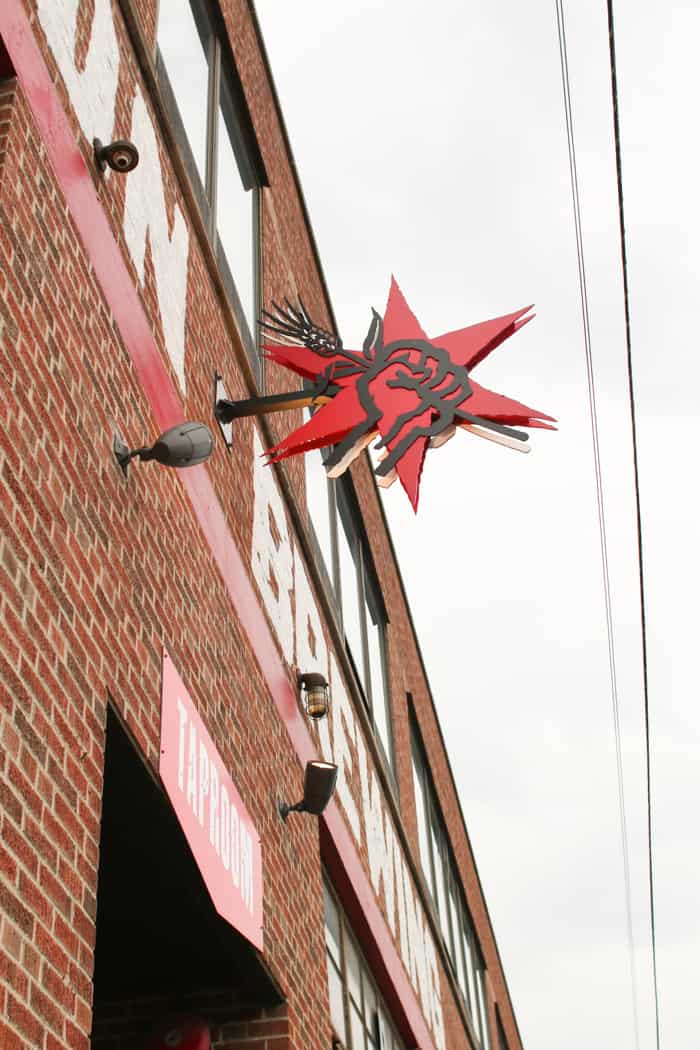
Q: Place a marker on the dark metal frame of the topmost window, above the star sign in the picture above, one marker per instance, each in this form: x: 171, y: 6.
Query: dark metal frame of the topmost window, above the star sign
x: 222, y: 68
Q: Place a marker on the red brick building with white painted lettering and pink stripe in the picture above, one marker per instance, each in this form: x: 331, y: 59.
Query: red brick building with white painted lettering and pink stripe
x: 153, y: 621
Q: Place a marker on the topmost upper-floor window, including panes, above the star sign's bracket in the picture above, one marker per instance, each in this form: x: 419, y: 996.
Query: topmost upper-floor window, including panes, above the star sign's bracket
x: 205, y: 101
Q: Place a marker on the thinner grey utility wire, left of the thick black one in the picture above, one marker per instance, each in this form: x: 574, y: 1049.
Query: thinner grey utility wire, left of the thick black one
x: 600, y: 500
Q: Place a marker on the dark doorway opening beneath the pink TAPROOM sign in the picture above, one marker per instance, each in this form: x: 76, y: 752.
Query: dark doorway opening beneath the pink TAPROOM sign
x: 162, y: 951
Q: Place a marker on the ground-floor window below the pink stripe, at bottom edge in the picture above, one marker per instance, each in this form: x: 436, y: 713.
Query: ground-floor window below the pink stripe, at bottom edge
x: 358, y: 1014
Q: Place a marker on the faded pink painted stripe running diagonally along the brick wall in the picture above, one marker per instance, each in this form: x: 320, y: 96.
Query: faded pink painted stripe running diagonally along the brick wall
x: 123, y: 300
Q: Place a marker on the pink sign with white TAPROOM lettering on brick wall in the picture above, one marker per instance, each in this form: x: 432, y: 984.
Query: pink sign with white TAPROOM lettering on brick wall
x: 217, y: 825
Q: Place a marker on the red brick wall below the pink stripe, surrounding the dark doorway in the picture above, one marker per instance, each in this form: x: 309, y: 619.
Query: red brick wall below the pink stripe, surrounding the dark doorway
x: 97, y: 573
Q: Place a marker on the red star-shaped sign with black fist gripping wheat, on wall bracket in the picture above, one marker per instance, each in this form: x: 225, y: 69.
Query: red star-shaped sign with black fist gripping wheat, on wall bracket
x: 410, y: 391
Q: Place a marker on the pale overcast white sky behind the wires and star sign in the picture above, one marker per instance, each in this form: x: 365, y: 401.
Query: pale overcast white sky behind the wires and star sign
x: 431, y: 144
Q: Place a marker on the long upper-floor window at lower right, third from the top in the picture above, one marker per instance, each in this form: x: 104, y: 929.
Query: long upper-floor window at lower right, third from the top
x: 441, y: 876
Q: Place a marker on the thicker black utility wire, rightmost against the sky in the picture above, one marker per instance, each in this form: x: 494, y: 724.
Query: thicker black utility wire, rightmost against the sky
x: 643, y: 602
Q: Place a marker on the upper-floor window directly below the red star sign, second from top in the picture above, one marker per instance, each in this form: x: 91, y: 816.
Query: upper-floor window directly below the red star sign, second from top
x: 336, y: 528
